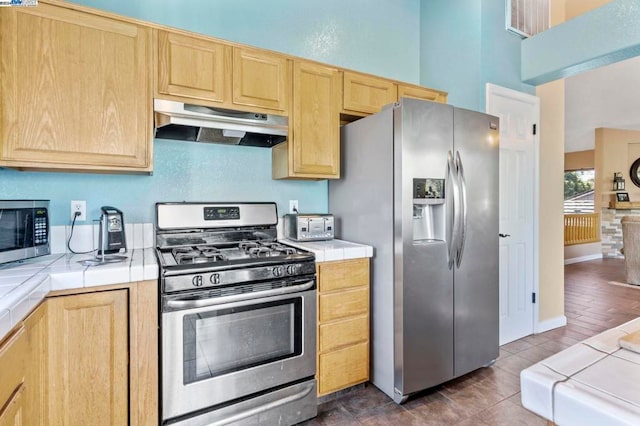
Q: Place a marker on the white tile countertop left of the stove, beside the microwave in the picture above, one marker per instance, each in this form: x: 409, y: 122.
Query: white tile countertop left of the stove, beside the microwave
x: 24, y: 284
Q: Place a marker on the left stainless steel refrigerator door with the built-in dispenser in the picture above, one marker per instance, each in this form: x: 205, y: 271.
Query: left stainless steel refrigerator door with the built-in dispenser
x: 423, y: 282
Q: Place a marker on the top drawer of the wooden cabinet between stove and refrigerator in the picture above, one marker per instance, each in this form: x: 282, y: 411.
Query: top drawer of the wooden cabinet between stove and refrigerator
x: 343, y: 274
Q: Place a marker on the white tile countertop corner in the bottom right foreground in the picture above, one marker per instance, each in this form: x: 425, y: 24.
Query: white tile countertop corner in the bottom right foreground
x: 594, y: 382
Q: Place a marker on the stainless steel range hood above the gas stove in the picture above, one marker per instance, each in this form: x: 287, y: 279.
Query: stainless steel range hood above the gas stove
x: 177, y: 120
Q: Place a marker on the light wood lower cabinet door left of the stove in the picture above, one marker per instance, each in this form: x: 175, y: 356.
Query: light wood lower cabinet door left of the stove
x: 88, y: 353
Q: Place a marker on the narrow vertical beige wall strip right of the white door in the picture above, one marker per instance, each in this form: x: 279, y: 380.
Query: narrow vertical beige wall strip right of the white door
x: 551, y: 214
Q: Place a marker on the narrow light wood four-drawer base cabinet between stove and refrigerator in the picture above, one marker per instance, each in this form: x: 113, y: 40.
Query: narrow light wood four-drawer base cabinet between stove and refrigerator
x: 343, y: 324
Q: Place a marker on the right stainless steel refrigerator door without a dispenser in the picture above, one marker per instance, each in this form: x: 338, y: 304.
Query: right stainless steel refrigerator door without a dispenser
x: 476, y: 277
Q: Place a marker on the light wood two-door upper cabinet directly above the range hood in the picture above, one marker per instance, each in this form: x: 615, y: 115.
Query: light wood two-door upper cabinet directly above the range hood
x: 198, y: 70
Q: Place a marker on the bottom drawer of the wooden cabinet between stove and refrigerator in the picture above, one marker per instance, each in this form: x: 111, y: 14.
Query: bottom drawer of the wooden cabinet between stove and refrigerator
x: 343, y: 368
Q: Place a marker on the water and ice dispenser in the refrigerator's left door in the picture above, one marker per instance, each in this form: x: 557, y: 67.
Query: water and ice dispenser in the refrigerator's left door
x: 428, y: 210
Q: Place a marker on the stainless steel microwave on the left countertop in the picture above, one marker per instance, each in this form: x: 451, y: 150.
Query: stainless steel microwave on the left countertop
x: 24, y: 229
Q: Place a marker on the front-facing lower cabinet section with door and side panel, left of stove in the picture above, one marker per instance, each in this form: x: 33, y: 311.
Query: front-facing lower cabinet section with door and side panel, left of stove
x: 103, y: 355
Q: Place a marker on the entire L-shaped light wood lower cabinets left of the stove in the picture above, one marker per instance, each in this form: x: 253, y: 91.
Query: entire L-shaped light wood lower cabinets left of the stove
x: 84, y: 357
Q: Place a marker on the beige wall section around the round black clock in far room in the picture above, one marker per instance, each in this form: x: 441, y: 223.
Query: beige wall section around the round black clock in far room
x: 616, y: 150
